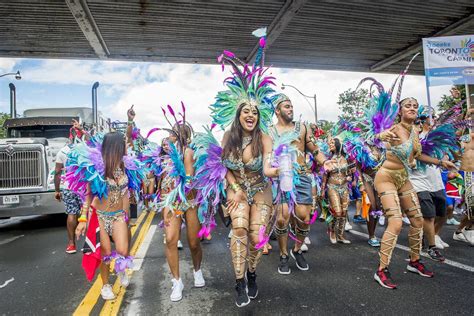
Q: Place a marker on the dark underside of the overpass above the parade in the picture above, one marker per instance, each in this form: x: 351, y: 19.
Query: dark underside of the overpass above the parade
x: 338, y: 35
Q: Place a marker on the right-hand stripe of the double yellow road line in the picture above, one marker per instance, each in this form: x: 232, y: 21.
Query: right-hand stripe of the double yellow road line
x: 113, y: 307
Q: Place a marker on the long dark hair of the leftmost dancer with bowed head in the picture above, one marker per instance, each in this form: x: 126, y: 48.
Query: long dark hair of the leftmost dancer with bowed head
x: 113, y: 150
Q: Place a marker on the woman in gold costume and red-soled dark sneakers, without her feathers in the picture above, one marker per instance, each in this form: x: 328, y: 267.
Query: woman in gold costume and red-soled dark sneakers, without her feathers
x: 397, y: 193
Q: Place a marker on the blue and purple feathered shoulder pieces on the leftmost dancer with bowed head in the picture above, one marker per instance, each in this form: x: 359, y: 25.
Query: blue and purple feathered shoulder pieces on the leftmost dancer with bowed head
x: 85, y: 165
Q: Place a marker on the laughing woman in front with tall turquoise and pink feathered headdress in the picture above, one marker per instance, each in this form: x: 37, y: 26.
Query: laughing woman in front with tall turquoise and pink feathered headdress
x: 244, y: 161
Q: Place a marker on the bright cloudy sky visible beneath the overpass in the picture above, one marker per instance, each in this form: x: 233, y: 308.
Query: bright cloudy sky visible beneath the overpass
x: 67, y: 83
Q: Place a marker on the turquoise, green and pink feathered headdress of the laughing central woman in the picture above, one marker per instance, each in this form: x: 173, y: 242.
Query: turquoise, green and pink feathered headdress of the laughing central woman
x: 247, y: 84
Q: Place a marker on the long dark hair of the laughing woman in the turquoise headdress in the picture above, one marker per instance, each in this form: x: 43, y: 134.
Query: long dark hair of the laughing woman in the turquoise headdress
x: 233, y: 147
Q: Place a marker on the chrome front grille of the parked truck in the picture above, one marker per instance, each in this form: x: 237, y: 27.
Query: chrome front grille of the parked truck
x: 20, y: 169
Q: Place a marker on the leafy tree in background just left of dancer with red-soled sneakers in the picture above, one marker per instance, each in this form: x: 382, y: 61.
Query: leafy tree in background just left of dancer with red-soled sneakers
x: 352, y: 103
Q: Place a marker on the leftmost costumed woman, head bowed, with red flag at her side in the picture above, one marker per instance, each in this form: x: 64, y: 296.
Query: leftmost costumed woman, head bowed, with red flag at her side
x: 103, y: 174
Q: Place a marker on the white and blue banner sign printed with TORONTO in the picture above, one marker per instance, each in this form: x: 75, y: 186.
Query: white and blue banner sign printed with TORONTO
x: 449, y: 60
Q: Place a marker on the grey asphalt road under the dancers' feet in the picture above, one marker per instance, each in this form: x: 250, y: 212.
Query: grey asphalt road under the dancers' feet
x: 49, y: 281
